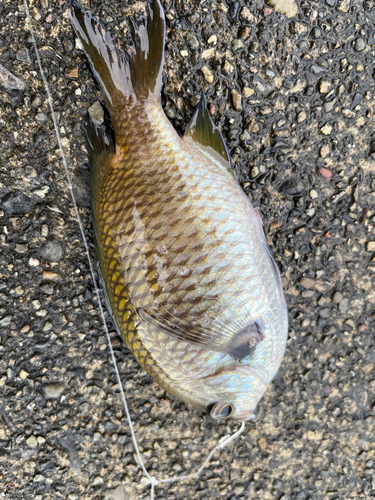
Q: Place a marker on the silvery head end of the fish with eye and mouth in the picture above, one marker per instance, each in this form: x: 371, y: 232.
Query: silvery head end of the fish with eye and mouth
x: 235, y: 391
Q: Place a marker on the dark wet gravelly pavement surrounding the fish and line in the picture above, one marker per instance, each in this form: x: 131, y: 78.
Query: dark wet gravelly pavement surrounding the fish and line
x: 291, y: 85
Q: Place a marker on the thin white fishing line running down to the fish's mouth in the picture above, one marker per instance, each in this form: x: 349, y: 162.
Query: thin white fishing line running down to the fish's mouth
x: 224, y: 441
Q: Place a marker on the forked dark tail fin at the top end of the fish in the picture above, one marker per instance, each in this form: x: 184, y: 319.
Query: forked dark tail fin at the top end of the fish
x: 124, y: 77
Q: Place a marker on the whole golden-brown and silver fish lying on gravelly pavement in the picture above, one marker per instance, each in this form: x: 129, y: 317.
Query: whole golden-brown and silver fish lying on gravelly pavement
x: 186, y: 271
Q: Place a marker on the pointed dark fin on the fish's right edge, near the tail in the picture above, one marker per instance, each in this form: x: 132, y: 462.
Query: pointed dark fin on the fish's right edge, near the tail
x: 206, y: 136
